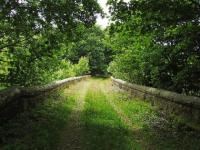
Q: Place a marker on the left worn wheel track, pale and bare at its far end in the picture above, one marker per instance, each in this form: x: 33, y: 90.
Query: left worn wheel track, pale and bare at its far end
x: 71, y: 135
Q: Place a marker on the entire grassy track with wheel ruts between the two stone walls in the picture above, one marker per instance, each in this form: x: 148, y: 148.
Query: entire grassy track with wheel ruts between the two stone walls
x: 94, y: 115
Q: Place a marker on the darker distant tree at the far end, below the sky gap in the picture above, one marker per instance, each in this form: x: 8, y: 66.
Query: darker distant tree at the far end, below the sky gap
x: 93, y: 44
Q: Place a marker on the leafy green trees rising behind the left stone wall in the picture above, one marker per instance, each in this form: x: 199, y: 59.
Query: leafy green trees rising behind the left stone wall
x: 33, y: 35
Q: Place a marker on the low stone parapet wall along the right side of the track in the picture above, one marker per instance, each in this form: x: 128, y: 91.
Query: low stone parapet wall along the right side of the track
x: 172, y: 103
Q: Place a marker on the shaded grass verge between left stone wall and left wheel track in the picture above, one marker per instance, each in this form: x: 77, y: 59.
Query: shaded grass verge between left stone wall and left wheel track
x: 38, y: 129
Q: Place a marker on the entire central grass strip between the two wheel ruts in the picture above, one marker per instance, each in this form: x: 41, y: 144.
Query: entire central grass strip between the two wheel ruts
x: 104, y: 130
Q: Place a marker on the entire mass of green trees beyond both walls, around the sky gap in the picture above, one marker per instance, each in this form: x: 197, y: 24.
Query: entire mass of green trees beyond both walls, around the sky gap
x: 149, y: 42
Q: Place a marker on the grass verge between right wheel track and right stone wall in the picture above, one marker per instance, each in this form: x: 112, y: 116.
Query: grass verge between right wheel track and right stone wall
x: 155, y: 131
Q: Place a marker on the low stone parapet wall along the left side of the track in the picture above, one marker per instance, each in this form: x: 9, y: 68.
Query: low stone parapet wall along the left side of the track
x: 17, y: 99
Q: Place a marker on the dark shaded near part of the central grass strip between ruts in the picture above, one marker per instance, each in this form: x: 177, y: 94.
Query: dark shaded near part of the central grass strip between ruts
x: 105, y: 131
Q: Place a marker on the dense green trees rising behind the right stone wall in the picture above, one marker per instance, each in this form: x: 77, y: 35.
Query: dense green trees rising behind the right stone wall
x: 157, y: 43
